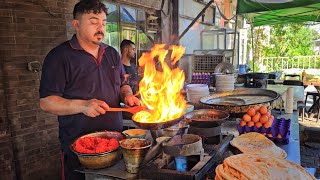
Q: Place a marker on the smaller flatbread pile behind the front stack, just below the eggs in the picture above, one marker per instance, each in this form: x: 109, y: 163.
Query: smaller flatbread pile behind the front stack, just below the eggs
x: 256, y: 143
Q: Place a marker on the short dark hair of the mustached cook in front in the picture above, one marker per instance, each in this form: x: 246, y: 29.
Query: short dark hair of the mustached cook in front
x: 88, y: 6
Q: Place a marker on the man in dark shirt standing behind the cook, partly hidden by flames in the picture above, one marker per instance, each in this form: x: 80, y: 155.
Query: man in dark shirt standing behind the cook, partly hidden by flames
x: 128, y: 52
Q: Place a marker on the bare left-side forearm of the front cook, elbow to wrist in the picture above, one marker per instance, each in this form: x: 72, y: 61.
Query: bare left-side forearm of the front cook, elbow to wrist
x: 61, y: 106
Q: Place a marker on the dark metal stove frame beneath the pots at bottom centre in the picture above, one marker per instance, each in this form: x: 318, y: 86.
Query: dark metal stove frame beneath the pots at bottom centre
x: 164, y: 166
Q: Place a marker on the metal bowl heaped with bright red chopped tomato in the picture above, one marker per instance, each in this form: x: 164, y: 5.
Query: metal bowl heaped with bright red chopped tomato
x: 98, y: 150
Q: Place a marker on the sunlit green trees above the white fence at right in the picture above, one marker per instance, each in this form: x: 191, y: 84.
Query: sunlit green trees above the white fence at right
x: 283, y: 40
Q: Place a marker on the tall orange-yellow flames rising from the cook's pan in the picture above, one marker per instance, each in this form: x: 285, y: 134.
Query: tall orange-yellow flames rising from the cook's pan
x: 160, y: 89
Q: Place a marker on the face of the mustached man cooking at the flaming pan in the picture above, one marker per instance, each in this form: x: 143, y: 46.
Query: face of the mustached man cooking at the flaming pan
x: 91, y: 27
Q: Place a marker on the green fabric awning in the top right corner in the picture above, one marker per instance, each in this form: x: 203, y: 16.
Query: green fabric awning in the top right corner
x: 270, y: 12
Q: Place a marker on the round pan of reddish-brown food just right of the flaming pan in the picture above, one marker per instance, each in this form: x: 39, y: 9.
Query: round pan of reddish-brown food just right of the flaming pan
x: 205, y: 118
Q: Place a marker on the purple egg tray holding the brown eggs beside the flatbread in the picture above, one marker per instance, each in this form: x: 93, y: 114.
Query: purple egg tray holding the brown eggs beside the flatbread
x: 278, y: 132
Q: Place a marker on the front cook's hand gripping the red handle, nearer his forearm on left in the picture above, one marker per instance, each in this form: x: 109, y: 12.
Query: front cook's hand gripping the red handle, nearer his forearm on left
x: 94, y: 108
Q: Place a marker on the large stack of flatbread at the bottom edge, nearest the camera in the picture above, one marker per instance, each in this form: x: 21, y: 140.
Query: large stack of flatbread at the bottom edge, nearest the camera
x: 257, y: 166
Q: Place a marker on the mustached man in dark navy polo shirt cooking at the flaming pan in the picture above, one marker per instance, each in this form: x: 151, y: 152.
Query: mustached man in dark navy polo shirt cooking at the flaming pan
x: 81, y: 78
